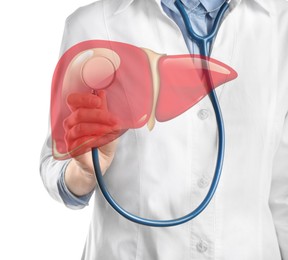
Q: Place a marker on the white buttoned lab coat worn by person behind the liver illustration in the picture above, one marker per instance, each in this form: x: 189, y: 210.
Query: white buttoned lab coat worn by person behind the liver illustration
x: 166, y: 173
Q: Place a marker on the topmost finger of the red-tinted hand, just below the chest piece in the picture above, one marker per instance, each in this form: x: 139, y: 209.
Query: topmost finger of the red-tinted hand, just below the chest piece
x: 83, y: 100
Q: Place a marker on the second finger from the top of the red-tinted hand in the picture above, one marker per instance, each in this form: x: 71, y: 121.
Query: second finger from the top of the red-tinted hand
x: 85, y: 115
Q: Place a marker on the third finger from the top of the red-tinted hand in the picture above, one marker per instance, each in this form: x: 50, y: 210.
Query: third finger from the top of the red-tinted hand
x: 85, y: 129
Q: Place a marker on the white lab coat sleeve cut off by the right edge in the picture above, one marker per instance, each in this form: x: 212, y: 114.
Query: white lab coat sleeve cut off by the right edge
x: 279, y: 192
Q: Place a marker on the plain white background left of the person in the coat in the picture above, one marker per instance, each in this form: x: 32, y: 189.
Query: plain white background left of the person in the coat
x: 32, y: 224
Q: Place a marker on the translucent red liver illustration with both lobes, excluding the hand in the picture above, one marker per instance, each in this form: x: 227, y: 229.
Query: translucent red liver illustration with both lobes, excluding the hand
x: 141, y: 86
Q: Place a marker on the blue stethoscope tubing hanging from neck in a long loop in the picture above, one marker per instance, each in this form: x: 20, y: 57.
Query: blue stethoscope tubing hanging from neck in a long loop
x: 203, y: 43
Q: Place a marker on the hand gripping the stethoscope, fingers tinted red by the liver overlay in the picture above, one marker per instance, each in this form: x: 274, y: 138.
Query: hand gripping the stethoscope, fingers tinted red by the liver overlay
x: 91, y: 125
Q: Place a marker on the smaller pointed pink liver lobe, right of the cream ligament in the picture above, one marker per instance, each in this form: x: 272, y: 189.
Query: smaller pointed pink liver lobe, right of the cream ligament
x: 183, y: 83
